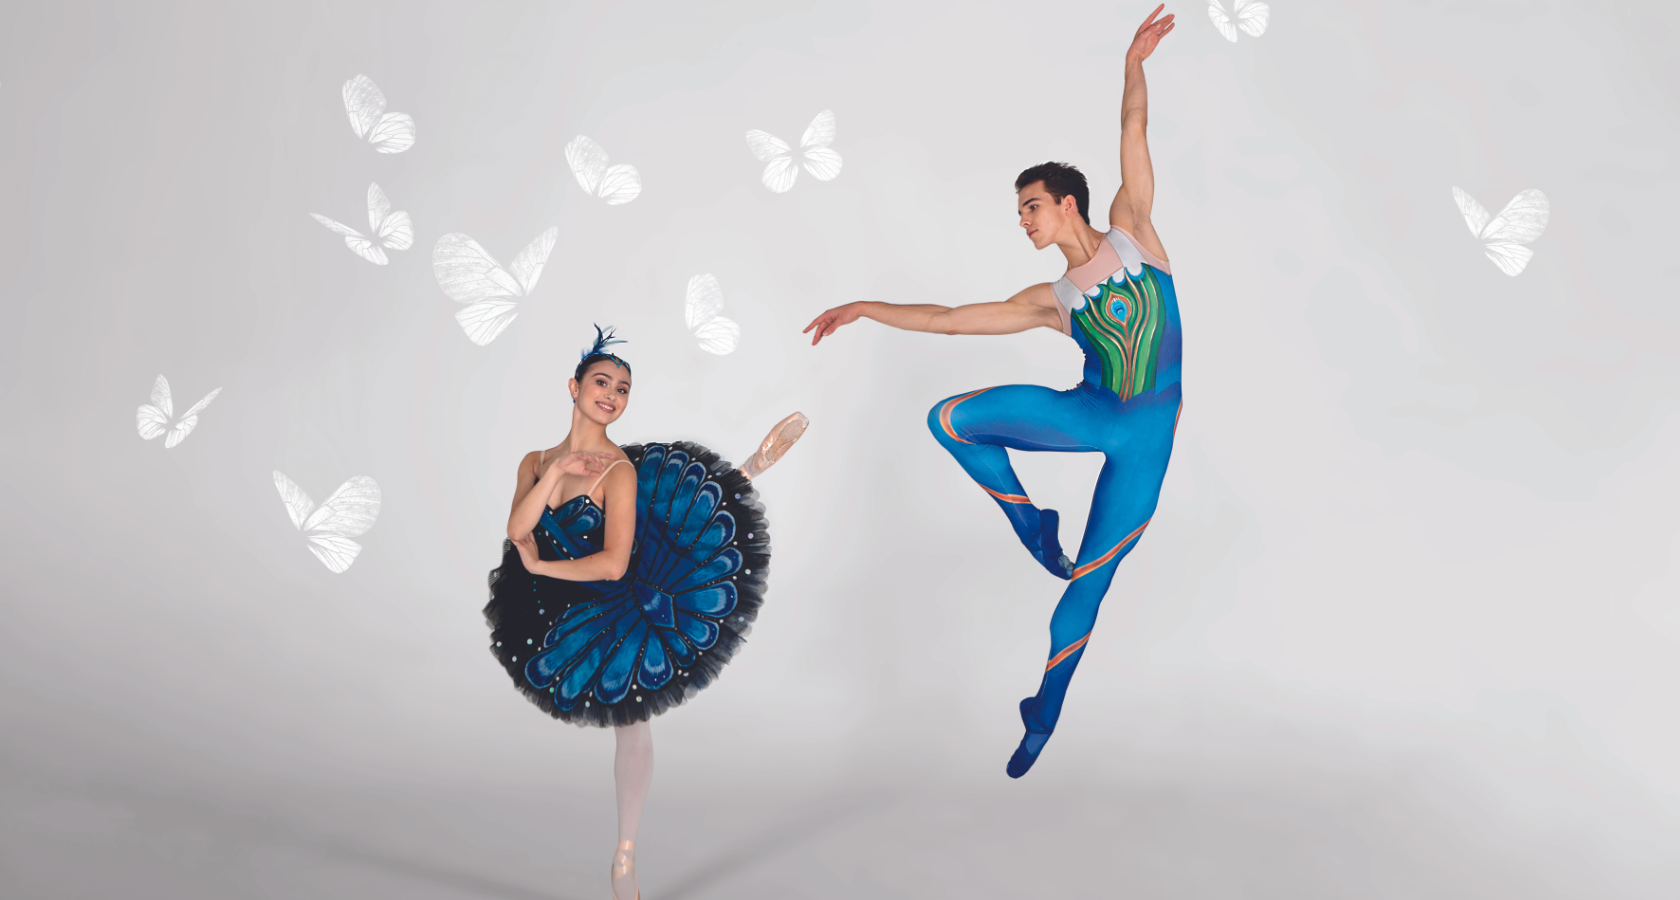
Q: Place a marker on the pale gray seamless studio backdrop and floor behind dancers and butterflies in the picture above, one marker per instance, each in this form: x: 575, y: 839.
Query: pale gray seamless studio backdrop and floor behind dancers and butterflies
x: 1405, y: 624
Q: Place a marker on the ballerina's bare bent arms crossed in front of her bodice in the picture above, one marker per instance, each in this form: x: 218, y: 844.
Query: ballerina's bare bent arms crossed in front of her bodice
x: 619, y: 505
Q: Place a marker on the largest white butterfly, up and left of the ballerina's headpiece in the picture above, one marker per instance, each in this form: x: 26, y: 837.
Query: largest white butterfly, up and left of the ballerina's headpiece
x: 471, y: 276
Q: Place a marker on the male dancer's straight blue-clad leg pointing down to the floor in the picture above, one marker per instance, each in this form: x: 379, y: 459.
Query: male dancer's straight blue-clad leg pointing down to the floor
x: 1128, y: 491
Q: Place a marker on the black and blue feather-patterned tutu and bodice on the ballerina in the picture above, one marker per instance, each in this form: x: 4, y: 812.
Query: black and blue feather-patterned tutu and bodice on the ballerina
x: 621, y: 652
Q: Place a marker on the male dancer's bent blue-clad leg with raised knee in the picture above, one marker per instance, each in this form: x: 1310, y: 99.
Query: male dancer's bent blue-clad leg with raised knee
x: 979, y: 427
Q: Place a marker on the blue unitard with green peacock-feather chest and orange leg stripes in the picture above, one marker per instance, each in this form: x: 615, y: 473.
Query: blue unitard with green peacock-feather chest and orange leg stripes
x: 1123, y: 313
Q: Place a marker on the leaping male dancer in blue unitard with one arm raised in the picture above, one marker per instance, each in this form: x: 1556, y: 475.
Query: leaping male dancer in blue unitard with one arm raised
x: 1116, y: 301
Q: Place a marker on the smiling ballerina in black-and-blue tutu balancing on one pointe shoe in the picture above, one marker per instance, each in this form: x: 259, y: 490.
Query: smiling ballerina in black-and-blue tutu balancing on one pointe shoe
x: 629, y: 577
